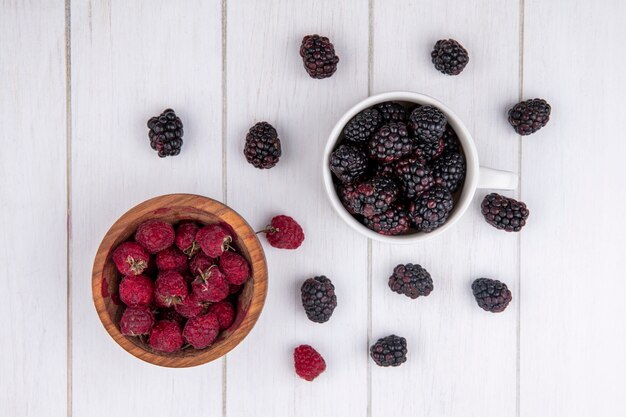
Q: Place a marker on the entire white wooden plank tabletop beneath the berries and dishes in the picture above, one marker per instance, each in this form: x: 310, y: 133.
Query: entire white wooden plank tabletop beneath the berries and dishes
x: 74, y: 156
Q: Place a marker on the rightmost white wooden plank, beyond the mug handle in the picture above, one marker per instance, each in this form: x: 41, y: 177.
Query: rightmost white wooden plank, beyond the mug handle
x: 573, y: 336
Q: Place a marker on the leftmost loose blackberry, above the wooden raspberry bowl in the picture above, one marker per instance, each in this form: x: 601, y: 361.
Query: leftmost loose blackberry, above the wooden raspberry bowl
x: 166, y: 133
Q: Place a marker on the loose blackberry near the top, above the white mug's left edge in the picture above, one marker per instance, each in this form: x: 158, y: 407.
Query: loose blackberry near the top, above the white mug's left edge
x: 318, y: 56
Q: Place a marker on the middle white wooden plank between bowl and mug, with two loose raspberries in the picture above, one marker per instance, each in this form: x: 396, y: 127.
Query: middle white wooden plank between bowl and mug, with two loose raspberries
x: 266, y: 81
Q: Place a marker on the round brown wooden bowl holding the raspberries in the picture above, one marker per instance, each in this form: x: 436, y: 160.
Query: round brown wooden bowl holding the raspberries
x: 173, y: 208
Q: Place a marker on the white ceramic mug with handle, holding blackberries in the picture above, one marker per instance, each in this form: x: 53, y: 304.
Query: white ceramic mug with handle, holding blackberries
x: 475, y: 176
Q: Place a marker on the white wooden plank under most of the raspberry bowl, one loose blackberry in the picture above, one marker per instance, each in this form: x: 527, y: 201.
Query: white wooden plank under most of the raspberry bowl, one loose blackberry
x: 131, y: 60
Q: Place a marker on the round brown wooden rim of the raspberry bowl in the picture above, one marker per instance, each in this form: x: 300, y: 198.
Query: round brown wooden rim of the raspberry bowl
x: 259, y: 287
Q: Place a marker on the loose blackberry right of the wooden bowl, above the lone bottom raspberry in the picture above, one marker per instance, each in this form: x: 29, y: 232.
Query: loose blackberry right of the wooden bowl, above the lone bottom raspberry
x: 318, y: 298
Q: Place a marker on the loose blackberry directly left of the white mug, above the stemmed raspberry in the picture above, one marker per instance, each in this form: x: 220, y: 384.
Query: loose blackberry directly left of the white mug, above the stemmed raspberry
x: 262, y: 148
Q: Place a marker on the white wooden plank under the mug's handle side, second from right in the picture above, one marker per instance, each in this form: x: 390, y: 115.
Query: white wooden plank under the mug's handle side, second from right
x: 462, y: 360
